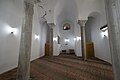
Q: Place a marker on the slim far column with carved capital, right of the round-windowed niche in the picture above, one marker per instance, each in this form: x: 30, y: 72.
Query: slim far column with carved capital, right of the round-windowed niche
x: 83, y: 38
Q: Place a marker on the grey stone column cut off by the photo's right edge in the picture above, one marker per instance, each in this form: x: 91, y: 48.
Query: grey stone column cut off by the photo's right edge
x: 113, y: 18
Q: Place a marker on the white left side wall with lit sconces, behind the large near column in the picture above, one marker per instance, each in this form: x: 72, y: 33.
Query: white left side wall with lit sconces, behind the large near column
x: 11, y: 15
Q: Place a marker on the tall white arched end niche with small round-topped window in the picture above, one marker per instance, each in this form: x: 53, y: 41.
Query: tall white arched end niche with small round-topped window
x: 66, y: 12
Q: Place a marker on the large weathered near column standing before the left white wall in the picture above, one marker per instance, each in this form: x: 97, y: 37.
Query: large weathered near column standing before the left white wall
x: 23, y: 72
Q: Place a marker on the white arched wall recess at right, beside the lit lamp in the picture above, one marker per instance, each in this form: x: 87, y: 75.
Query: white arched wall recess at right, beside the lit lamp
x: 95, y: 35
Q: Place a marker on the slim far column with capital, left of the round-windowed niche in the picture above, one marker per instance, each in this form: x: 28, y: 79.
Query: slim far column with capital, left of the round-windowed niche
x: 51, y: 25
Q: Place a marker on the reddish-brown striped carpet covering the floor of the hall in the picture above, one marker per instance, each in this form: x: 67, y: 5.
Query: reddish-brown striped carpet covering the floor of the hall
x: 66, y: 67
